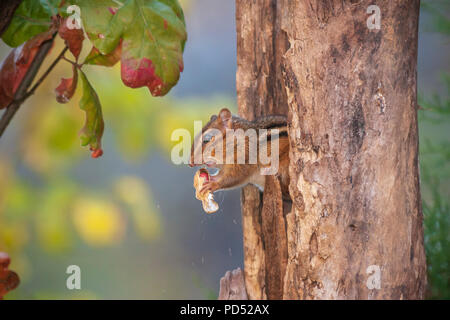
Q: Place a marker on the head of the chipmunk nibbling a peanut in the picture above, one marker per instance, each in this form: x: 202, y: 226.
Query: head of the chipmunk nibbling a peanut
x: 207, y: 144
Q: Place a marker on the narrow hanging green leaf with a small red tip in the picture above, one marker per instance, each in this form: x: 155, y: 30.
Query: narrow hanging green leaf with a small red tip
x: 92, y: 132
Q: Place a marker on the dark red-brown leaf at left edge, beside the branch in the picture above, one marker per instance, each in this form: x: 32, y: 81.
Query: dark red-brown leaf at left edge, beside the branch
x: 15, y: 66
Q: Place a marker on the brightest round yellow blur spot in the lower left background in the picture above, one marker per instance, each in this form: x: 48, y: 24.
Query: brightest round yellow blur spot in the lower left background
x: 98, y: 222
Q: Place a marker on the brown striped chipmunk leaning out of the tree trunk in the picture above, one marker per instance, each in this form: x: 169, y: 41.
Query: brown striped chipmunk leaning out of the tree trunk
x: 237, y: 174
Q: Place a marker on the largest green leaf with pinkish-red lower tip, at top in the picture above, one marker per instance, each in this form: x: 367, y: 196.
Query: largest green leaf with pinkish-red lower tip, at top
x: 153, y: 34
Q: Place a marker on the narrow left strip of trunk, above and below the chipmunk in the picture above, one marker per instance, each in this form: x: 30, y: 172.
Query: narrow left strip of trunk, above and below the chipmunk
x: 260, y: 46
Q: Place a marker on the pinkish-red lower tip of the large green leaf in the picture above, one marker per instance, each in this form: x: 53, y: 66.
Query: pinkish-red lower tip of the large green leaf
x: 140, y: 74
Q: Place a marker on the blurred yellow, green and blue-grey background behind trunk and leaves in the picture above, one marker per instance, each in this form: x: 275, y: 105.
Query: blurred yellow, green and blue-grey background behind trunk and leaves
x: 130, y: 219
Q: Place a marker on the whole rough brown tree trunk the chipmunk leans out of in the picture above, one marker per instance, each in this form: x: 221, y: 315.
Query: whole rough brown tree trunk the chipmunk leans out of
x: 355, y: 227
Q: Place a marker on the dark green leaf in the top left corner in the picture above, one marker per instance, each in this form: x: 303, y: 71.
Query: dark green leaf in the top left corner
x: 31, y: 18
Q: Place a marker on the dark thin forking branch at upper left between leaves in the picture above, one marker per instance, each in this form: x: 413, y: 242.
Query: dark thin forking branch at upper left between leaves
x: 21, y: 94
